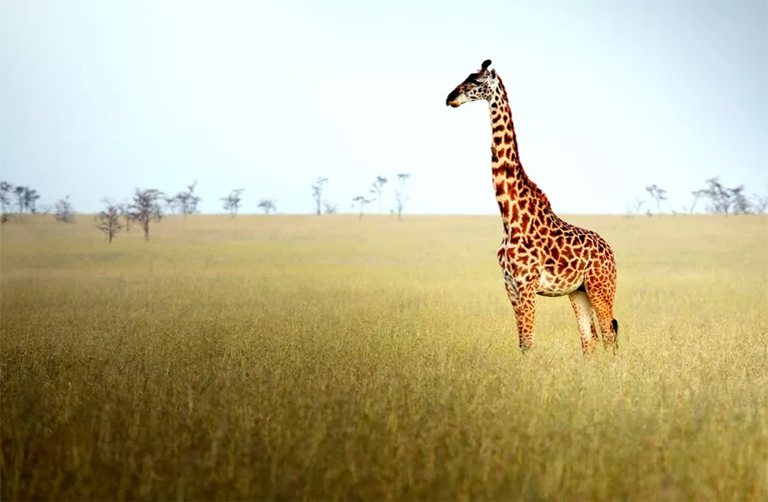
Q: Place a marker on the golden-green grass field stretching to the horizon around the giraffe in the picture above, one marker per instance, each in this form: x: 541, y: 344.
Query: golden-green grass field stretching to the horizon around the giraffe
x: 332, y: 358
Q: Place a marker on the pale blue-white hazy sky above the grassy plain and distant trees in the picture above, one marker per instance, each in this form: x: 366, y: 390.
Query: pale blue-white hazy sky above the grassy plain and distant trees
x: 99, y: 97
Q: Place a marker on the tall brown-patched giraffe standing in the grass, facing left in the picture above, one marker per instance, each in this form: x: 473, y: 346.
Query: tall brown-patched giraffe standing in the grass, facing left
x: 540, y: 253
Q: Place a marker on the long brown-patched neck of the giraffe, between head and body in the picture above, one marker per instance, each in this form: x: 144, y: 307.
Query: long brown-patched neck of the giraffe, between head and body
x: 515, y: 191
